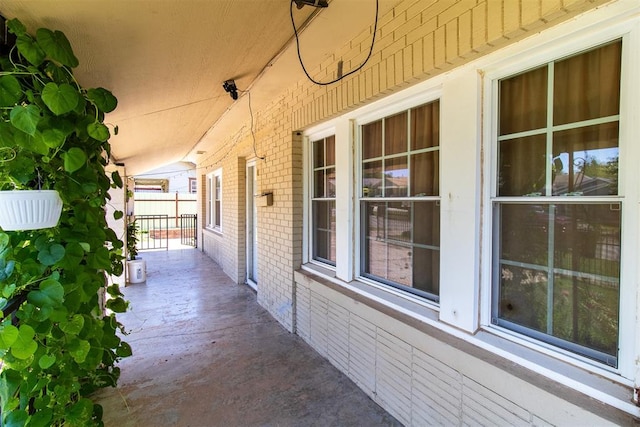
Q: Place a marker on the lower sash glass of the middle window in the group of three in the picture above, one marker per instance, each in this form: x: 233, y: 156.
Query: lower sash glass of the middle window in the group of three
x: 396, y: 241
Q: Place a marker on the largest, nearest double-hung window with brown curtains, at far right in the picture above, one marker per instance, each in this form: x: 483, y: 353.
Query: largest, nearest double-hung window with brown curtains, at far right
x: 557, y: 210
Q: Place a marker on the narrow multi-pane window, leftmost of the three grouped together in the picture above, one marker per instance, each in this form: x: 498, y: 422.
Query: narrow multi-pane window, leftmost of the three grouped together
x: 323, y: 203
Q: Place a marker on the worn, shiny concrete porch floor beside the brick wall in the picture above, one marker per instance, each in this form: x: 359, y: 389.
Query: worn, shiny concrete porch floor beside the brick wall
x: 206, y: 354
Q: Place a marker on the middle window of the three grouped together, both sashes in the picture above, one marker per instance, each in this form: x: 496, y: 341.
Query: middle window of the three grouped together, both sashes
x: 399, y: 200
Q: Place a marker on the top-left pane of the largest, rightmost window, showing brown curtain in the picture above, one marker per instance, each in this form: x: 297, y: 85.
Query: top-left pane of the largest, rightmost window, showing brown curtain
x: 523, y: 102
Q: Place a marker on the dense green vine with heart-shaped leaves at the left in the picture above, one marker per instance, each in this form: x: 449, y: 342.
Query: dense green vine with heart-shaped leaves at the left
x: 57, y: 344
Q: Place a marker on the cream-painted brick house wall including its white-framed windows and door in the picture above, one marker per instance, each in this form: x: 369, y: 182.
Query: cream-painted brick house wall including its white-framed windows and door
x: 404, y: 221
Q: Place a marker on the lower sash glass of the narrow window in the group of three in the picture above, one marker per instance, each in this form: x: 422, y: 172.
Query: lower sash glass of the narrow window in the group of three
x: 324, y: 231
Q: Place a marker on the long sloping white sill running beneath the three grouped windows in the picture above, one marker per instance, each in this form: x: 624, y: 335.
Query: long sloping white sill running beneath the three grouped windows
x: 574, y: 383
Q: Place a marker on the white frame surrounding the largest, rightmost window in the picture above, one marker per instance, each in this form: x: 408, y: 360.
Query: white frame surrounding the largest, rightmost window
x: 554, y: 48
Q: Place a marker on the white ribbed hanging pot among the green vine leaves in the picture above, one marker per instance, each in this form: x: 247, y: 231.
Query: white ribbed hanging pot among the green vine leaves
x: 29, y: 209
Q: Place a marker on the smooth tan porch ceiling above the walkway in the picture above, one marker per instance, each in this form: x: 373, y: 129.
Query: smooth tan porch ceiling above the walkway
x: 166, y: 60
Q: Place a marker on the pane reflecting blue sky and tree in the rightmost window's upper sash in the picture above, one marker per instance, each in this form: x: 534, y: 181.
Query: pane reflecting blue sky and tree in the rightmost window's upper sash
x: 586, y: 160
